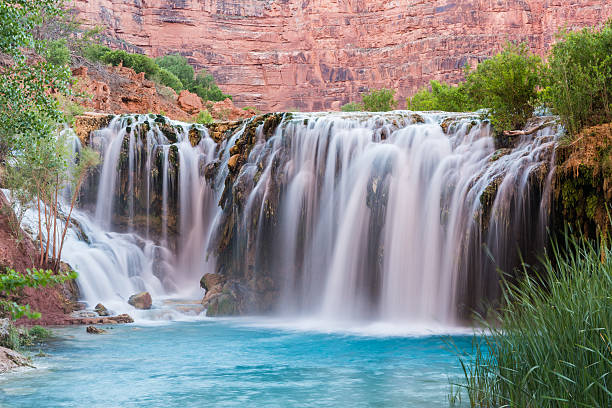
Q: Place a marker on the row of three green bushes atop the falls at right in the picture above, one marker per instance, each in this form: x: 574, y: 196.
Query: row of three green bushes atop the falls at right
x: 574, y: 84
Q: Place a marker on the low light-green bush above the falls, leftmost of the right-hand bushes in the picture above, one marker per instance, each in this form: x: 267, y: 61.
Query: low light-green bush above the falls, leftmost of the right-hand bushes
x: 442, y: 97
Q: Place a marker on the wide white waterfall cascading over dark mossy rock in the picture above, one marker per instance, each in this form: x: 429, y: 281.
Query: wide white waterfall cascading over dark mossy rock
x: 397, y: 216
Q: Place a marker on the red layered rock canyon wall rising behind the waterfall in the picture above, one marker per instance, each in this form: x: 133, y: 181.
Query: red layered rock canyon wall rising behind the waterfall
x: 320, y: 54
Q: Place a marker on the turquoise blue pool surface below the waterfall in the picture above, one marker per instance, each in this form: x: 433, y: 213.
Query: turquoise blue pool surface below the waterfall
x: 236, y: 363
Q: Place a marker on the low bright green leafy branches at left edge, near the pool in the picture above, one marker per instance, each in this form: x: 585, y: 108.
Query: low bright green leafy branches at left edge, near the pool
x: 11, y: 282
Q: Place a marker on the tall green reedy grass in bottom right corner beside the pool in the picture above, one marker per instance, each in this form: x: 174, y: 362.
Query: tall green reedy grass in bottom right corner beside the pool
x: 550, y: 345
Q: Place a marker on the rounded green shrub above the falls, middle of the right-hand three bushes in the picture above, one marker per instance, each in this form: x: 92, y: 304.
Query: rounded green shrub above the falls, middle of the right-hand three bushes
x: 507, y: 84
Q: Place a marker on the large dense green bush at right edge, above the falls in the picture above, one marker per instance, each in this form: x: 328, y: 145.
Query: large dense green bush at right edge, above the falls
x: 580, y: 78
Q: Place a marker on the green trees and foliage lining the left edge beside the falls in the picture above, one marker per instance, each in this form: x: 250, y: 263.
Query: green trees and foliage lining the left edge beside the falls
x: 34, y: 154
